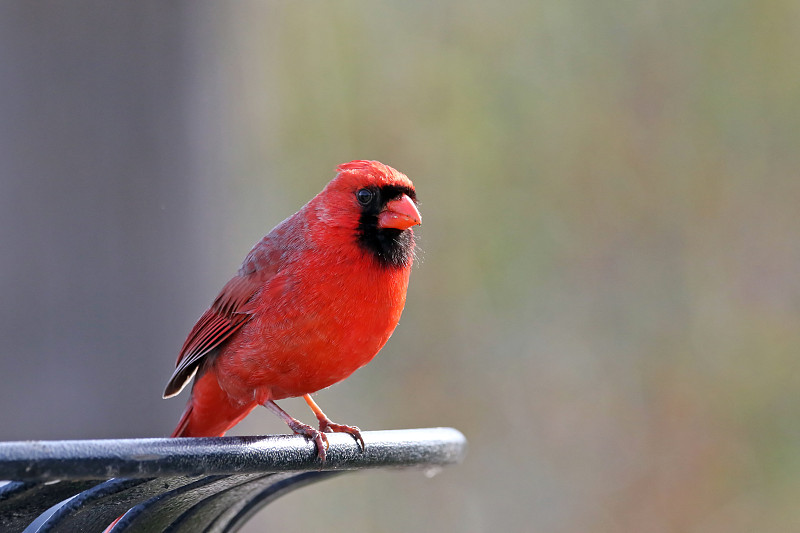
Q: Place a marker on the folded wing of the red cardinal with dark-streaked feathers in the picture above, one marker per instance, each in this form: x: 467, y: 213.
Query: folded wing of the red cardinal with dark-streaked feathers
x: 226, y: 316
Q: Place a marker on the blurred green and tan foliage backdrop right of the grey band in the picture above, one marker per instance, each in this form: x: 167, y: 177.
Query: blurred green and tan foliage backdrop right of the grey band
x: 608, y: 297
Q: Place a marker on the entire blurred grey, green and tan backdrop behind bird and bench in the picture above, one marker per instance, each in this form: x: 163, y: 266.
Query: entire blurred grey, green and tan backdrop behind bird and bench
x: 609, y: 293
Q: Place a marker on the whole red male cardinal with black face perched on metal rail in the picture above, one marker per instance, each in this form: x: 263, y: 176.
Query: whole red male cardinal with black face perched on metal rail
x: 314, y: 300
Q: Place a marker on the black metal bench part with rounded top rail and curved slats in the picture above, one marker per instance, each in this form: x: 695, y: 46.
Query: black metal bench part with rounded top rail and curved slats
x: 187, y: 485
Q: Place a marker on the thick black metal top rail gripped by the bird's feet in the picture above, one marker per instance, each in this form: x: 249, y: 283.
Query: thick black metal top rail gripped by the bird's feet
x: 141, y: 458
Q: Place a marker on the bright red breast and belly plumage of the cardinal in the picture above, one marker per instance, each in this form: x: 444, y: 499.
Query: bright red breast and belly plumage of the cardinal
x: 315, y: 327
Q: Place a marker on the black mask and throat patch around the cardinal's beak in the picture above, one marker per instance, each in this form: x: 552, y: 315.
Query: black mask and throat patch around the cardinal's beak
x: 392, y: 247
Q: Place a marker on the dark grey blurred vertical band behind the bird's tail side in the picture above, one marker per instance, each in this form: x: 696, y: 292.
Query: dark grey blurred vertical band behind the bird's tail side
x: 104, y: 208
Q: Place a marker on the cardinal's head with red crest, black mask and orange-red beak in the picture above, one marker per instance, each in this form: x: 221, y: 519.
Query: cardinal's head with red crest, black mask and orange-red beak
x: 376, y: 205
